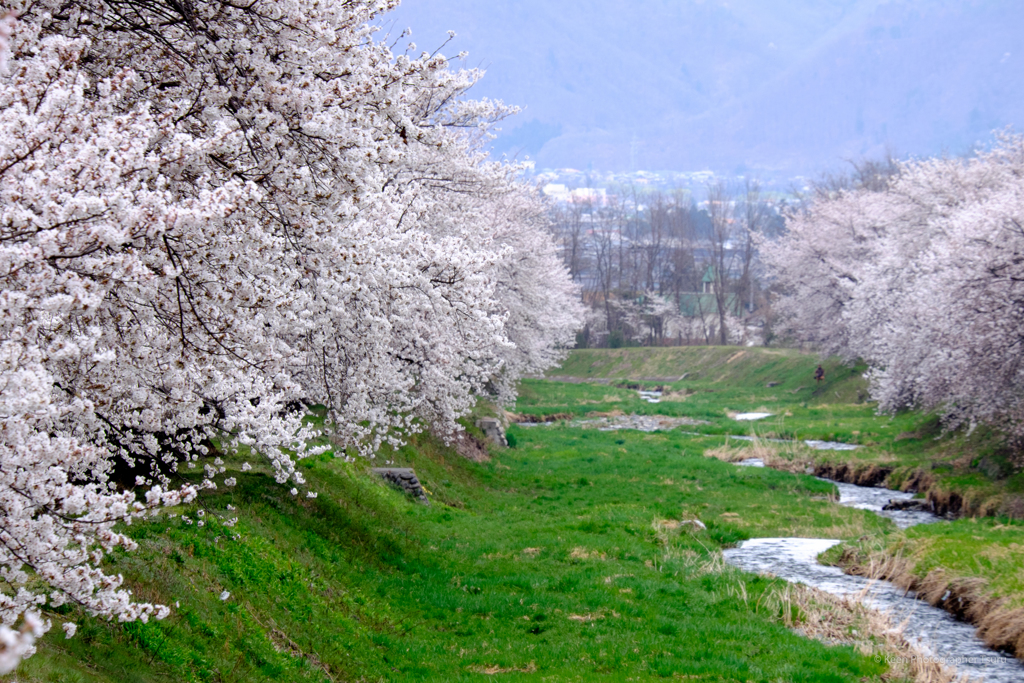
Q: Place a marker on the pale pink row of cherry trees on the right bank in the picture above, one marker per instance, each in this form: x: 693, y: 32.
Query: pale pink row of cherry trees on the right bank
x: 919, y: 269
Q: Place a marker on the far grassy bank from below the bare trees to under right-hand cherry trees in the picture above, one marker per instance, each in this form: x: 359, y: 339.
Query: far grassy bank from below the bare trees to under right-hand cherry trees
x: 974, y: 475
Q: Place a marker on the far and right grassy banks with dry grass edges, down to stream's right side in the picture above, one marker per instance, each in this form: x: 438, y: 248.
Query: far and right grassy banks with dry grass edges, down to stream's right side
x: 973, y: 567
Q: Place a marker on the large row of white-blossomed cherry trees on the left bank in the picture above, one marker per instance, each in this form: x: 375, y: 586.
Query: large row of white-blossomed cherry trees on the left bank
x: 210, y: 211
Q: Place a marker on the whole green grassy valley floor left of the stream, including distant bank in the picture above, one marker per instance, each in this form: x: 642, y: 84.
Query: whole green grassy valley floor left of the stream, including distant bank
x: 568, y: 558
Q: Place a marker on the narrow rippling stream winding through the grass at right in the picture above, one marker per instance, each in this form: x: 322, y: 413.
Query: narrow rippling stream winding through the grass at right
x: 937, y: 633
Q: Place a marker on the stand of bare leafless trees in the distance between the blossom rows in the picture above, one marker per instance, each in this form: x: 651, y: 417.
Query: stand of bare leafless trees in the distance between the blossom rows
x: 643, y: 245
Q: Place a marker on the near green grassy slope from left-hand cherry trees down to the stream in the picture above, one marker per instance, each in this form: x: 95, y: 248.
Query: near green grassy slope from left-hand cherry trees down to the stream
x: 563, y: 560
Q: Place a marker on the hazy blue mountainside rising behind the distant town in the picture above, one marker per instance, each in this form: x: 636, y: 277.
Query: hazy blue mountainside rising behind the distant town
x: 793, y: 88
